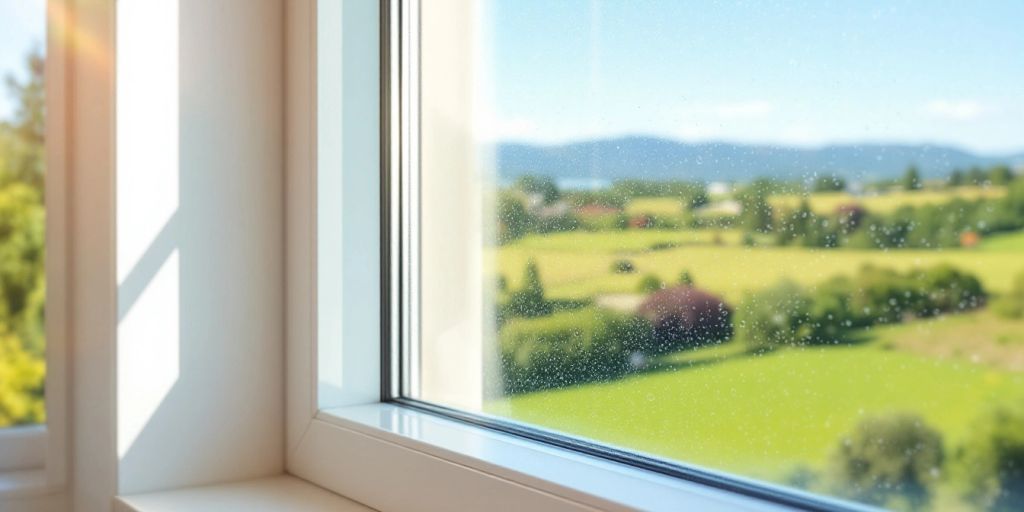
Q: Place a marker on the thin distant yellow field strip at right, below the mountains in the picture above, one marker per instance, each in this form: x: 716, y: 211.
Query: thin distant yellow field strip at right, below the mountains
x: 829, y: 202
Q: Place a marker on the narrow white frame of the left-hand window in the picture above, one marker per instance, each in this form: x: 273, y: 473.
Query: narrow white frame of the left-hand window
x: 33, y: 459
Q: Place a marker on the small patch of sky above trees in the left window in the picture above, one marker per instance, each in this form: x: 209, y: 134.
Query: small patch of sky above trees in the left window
x: 23, y: 24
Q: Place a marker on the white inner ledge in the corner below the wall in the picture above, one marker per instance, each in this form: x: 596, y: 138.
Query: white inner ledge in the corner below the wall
x: 276, y: 494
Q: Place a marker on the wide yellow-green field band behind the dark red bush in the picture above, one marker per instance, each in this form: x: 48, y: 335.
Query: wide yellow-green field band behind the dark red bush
x: 579, y: 265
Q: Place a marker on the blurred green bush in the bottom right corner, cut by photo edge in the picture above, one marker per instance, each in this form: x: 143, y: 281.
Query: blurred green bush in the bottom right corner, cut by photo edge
x: 992, y: 461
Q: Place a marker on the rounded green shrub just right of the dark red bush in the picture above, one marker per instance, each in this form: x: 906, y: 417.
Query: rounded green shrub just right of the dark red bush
x: 776, y: 317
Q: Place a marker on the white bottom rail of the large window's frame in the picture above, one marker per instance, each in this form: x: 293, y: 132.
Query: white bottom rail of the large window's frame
x: 440, y: 464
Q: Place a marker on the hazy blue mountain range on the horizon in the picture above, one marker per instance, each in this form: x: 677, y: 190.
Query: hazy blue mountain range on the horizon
x: 652, y: 158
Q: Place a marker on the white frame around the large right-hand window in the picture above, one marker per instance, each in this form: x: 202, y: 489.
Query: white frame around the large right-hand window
x: 340, y: 435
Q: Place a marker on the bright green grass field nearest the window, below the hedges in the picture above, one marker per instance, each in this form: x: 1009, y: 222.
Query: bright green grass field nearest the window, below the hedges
x: 763, y: 416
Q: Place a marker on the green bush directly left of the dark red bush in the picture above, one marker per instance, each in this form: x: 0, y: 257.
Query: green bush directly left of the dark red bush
x: 569, y: 349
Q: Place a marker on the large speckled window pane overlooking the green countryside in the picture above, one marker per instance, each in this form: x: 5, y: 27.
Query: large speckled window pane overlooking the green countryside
x: 781, y: 240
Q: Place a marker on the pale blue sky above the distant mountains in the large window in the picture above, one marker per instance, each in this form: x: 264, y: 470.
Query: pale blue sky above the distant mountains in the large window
x: 789, y: 72
